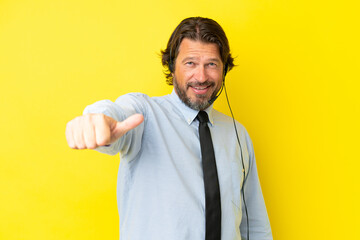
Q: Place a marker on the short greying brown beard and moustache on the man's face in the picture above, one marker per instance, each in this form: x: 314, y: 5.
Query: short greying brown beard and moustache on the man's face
x: 201, y: 102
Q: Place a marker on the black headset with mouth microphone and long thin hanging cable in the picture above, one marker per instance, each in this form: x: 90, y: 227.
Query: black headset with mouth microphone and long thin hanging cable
x: 211, y: 101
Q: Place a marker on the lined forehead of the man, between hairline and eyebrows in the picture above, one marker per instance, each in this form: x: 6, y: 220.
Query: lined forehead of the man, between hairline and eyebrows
x: 197, y: 48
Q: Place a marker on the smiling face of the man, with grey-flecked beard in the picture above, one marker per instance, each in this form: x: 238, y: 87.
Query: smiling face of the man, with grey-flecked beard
x: 198, y: 73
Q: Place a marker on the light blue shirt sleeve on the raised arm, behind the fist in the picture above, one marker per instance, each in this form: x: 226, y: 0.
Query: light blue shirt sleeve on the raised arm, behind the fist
x: 122, y: 108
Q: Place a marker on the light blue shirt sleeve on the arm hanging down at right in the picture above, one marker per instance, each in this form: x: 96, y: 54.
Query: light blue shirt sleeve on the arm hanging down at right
x: 259, y: 224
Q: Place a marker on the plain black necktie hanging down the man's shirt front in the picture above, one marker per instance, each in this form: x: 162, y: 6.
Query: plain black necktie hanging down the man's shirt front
x: 211, y: 182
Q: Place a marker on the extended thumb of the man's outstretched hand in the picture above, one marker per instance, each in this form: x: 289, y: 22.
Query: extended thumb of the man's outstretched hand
x: 123, y: 127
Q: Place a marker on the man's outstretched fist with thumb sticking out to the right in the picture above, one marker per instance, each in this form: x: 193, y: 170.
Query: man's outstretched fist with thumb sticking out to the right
x: 93, y: 130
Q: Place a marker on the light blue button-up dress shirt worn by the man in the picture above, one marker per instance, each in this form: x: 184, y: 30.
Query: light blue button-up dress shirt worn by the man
x: 160, y: 188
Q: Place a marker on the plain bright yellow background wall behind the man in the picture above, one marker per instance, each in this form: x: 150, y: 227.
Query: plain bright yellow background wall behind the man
x: 295, y: 89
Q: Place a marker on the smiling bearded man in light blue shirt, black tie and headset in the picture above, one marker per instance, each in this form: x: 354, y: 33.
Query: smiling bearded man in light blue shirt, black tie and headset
x: 168, y: 146
